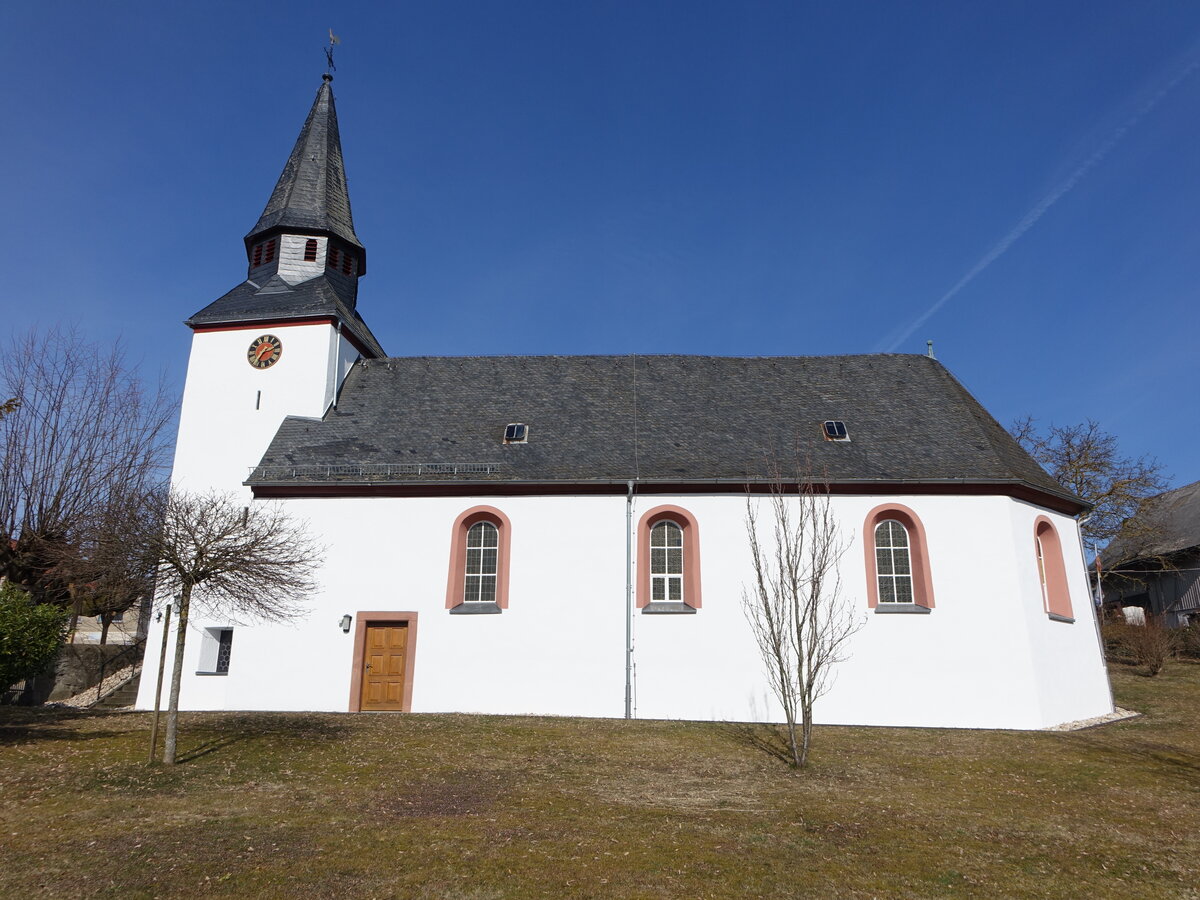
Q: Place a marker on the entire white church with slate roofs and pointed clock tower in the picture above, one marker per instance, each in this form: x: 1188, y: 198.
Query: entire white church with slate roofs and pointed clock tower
x: 532, y: 535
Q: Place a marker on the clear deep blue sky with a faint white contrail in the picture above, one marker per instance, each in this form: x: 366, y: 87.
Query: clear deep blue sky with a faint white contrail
x: 1019, y: 183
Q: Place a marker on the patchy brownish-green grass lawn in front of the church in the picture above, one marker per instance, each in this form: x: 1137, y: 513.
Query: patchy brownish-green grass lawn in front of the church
x: 325, y: 806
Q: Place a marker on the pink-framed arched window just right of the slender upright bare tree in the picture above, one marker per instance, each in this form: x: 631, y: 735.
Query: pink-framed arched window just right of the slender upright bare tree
x: 898, y: 575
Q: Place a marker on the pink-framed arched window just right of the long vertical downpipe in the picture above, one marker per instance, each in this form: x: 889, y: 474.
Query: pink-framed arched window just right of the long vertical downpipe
x: 669, y: 562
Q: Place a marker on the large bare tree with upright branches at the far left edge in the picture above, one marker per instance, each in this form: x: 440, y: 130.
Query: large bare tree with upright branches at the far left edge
x: 81, y: 428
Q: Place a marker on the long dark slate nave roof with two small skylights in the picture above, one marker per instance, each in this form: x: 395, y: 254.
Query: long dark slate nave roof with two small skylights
x: 658, y: 419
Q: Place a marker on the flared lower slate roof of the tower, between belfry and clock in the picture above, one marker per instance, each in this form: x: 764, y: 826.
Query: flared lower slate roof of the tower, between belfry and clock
x: 275, y: 299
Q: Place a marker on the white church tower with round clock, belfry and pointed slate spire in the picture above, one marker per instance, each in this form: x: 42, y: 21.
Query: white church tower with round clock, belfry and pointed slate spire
x: 281, y: 343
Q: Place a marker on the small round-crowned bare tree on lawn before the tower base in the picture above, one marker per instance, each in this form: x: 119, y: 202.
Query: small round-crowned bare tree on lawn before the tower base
x: 244, y: 562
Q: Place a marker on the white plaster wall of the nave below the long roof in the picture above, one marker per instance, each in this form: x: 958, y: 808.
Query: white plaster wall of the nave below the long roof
x: 986, y: 657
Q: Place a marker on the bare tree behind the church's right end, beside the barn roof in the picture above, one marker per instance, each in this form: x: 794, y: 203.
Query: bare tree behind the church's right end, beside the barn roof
x: 1089, y: 463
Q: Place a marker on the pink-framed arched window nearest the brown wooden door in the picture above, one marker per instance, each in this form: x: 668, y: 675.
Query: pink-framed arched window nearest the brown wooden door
x: 479, y: 562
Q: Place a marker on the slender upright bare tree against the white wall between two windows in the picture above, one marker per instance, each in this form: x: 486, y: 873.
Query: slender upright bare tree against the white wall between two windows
x: 796, y: 609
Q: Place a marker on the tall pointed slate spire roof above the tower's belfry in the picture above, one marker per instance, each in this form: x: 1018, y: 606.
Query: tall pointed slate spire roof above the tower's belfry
x: 311, y: 194
